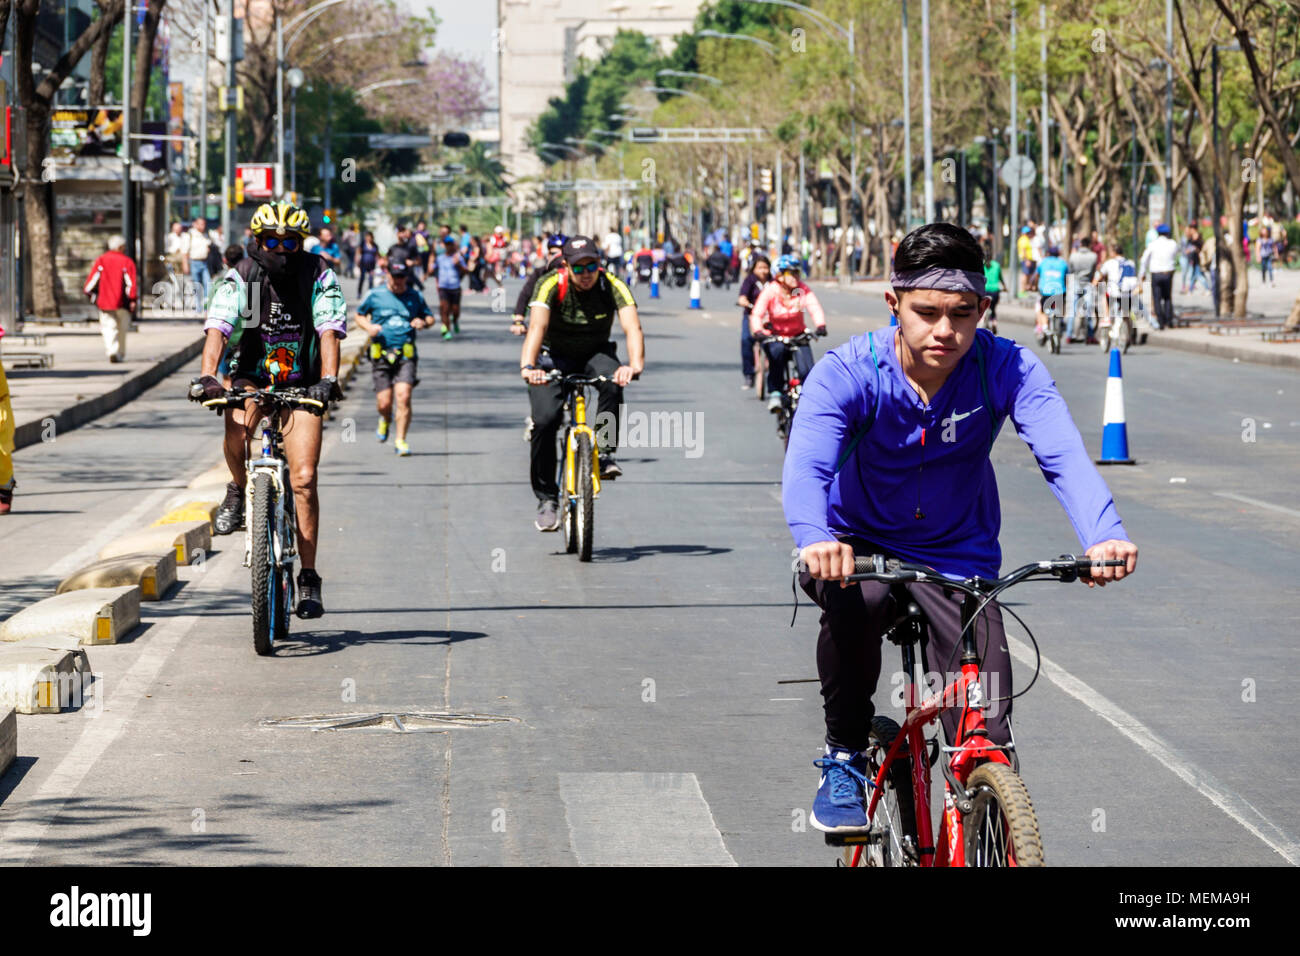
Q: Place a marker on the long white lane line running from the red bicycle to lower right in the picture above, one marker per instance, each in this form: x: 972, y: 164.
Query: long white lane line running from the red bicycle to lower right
x: 1203, y: 782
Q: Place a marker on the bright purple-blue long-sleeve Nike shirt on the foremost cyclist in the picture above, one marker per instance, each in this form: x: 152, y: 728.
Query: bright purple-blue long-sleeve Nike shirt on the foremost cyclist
x: 934, y: 458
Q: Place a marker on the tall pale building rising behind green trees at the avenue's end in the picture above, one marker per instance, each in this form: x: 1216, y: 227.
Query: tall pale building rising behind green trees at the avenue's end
x: 540, y: 44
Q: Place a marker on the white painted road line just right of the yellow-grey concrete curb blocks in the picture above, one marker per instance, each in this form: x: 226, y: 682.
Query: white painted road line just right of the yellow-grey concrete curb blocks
x: 34, y: 816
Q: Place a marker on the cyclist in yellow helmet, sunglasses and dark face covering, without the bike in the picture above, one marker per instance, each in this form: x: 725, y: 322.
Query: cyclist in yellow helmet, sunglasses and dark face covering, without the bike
x: 281, y: 312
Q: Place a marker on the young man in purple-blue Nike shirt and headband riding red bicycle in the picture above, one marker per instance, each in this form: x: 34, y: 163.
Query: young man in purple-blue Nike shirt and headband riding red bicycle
x: 890, y: 455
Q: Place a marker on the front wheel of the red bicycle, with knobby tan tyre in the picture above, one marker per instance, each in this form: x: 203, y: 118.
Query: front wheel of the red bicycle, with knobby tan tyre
x: 1003, y: 830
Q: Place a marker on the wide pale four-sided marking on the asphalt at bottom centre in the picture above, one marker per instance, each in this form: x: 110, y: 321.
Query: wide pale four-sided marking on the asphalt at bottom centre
x: 642, y: 820
